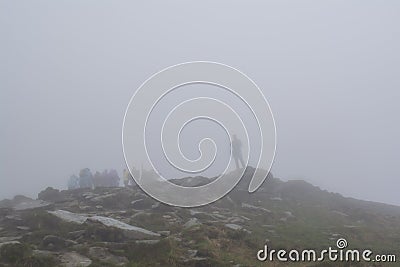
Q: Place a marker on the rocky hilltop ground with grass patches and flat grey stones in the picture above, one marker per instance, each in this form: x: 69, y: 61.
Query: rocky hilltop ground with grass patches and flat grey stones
x: 125, y: 227
